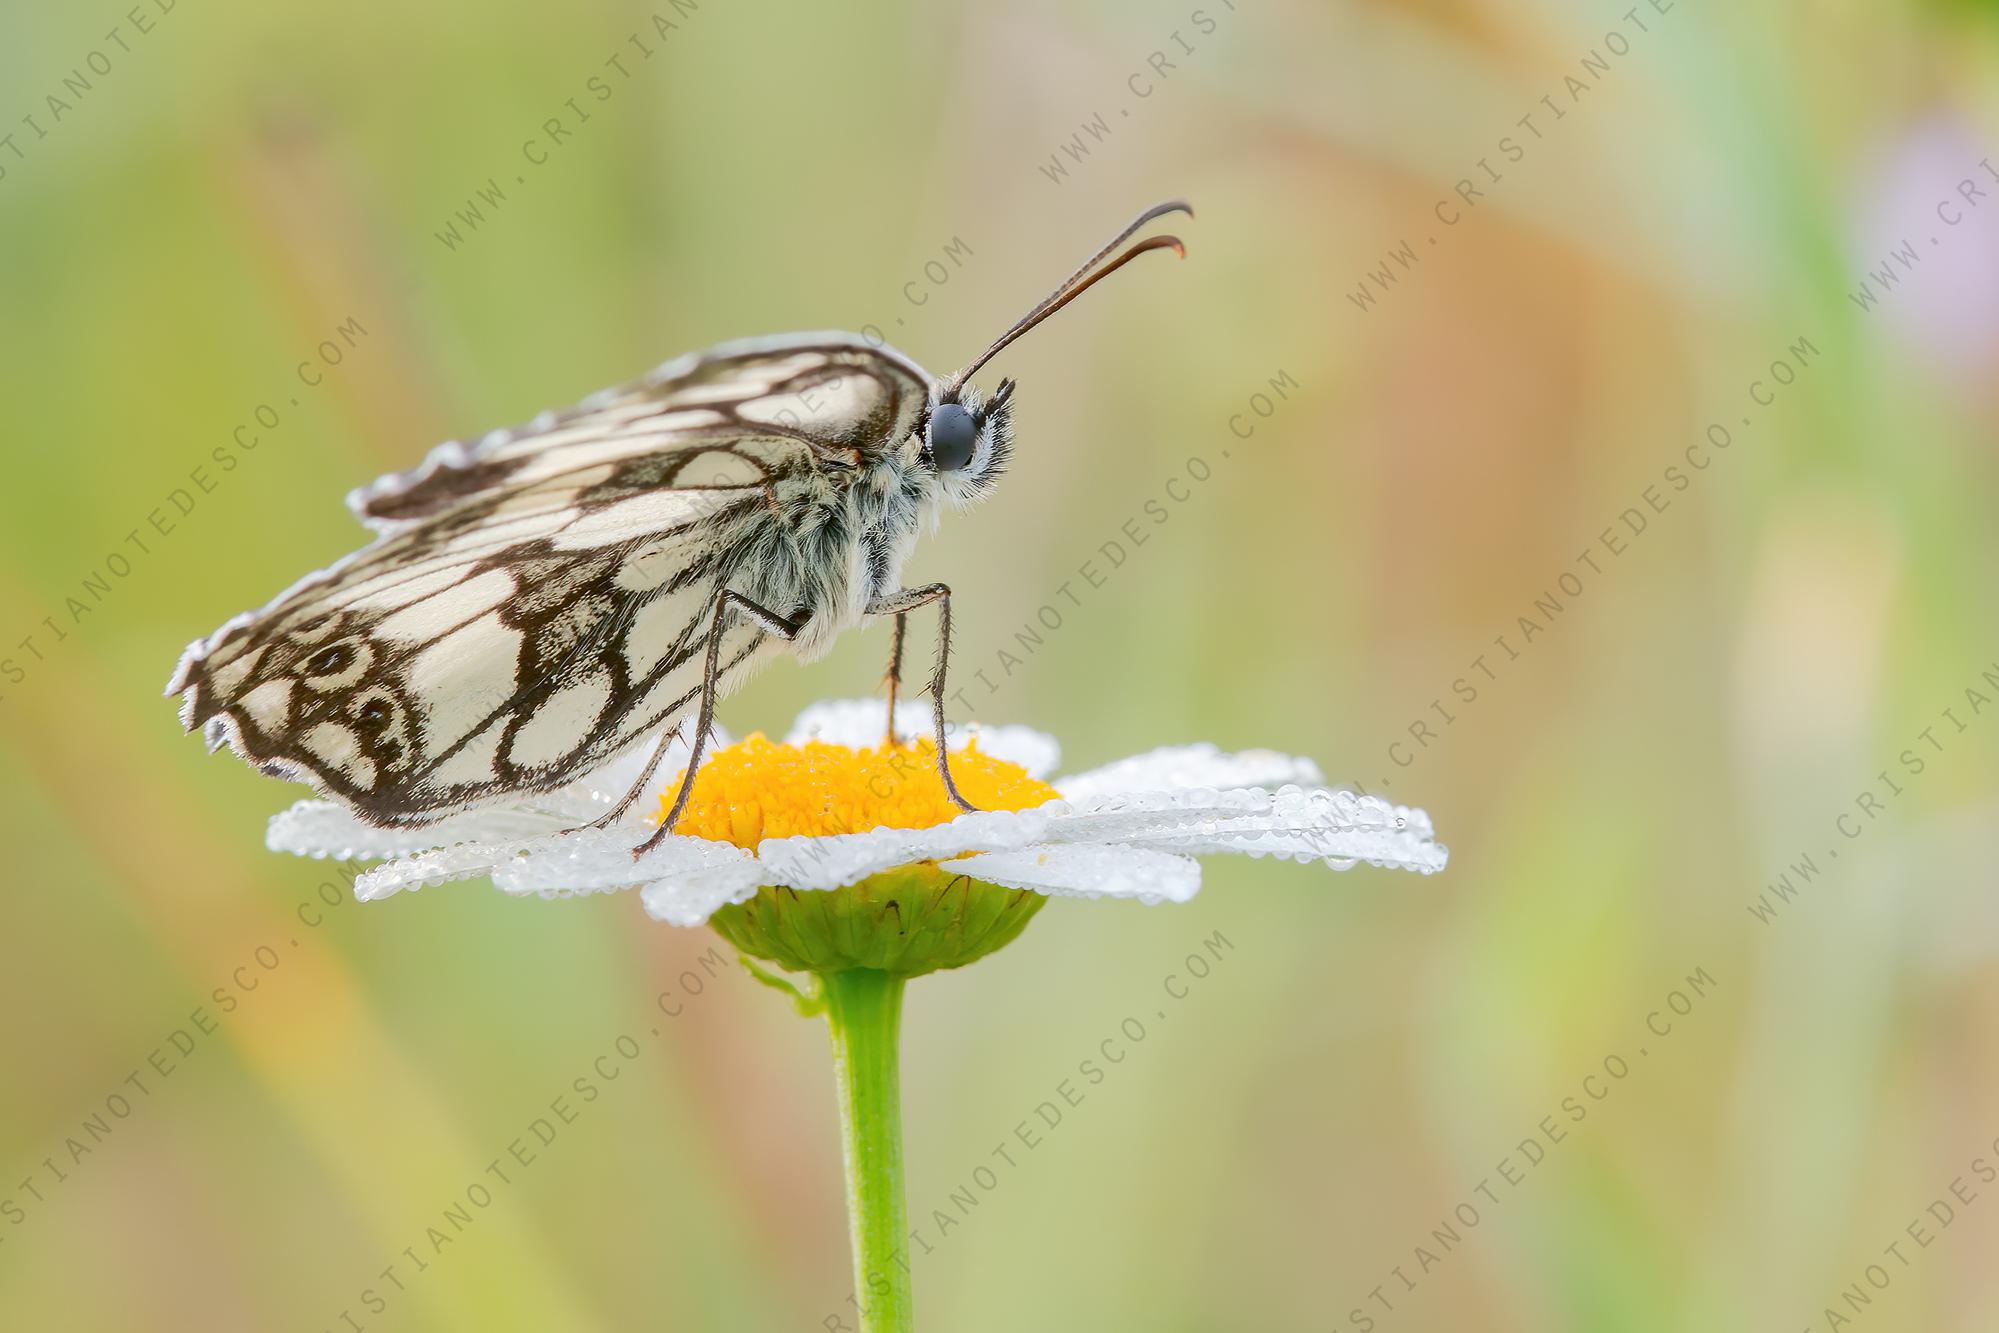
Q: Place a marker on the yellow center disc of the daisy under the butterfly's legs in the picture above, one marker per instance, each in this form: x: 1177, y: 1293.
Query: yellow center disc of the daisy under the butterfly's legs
x: 759, y: 788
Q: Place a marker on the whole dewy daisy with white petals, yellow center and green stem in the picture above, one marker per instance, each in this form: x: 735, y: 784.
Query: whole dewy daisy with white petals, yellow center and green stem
x: 841, y: 858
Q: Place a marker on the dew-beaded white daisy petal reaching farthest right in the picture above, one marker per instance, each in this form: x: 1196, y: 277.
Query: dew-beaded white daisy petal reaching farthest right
x: 1336, y: 828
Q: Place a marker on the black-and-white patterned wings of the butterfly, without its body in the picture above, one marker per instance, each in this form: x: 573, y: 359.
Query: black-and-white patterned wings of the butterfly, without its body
x: 539, y: 603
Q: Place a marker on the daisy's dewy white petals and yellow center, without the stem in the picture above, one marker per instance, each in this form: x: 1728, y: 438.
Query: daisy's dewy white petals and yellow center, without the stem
x: 833, y: 808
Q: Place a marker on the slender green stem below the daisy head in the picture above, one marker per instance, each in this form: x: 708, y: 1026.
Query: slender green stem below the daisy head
x: 865, y: 1014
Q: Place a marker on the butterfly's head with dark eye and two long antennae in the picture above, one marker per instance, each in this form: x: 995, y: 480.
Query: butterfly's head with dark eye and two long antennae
x: 967, y: 439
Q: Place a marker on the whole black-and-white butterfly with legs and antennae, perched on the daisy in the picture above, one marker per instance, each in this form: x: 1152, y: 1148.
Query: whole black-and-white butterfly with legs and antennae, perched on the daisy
x: 553, y: 597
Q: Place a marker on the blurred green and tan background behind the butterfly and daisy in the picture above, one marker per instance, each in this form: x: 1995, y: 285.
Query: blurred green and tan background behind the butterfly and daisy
x: 1618, y: 231
